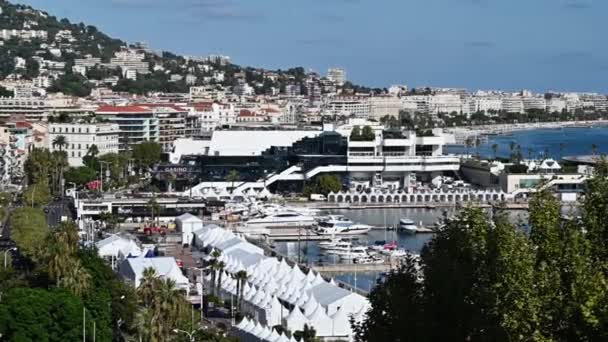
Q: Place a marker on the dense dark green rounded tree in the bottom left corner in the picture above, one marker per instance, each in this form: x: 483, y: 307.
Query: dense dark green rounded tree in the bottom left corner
x: 40, y: 315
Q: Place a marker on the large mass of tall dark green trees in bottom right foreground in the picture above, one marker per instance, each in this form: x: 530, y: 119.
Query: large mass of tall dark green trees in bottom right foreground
x: 486, y: 280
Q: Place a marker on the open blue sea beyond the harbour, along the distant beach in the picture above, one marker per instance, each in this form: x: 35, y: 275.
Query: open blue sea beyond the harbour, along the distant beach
x: 557, y: 142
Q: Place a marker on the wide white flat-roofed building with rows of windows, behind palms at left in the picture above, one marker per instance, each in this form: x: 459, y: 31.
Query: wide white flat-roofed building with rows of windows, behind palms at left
x: 80, y: 137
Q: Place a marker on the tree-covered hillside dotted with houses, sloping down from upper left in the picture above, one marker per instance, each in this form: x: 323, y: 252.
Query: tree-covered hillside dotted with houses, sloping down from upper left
x: 35, y: 45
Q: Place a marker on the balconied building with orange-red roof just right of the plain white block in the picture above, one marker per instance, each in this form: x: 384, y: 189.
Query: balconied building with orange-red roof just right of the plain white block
x: 136, y: 124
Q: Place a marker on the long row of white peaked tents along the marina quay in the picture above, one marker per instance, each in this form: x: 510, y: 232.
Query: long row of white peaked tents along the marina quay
x: 278, y: 294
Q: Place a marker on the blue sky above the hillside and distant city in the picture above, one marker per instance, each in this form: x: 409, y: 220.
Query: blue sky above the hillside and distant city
x: 539, y: 45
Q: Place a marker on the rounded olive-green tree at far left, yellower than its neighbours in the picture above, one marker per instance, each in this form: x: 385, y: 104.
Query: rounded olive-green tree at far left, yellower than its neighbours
x: 29, y: 230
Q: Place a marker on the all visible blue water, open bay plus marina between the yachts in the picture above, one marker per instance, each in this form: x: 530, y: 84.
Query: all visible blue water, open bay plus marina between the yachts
x: 556, y: 142
